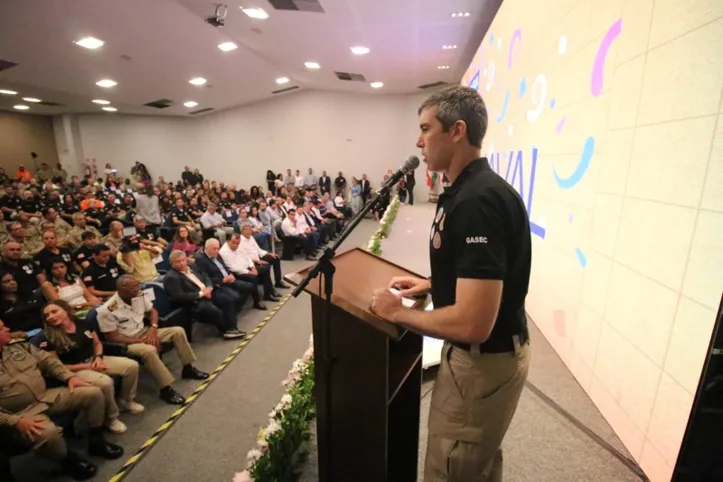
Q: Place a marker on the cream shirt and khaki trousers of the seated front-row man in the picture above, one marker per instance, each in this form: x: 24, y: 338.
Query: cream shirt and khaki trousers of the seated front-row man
x: 116, y: 315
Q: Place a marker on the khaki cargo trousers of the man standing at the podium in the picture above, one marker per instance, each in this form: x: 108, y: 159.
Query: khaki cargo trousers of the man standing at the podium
x: 473, y: 401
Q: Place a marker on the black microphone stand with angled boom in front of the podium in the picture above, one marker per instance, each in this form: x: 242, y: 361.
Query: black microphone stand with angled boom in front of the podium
x: 326, y: 267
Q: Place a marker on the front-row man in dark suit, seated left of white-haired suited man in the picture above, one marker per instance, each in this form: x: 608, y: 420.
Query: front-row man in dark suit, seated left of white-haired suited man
x: 189, y: 286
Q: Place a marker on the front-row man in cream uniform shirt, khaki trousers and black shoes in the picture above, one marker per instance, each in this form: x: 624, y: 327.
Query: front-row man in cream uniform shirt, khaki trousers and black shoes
x: 121, y: 323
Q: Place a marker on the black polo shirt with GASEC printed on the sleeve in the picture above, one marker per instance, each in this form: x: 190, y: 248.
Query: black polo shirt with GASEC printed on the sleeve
x: 481, y: 230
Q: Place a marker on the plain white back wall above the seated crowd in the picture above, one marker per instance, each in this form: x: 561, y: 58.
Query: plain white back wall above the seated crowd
x: 322, y: 130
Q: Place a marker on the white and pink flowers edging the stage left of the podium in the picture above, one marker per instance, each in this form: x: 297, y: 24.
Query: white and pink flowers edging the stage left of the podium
x: 299, y: 372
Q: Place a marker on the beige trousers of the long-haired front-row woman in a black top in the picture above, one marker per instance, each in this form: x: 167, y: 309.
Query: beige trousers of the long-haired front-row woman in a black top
x: 127, y: 369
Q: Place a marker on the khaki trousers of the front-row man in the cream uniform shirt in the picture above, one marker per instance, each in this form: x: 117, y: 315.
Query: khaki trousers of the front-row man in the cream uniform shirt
x: 152, y: 360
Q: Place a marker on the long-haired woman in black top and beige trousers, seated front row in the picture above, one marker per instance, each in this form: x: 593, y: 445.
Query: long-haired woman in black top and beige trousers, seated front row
x: 81, y: 351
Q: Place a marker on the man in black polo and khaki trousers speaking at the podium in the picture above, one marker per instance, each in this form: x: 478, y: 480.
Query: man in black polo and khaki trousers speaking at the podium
x: 480, y: 258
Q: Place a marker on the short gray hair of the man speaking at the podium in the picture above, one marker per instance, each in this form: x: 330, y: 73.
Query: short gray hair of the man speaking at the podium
x: 458, y: 103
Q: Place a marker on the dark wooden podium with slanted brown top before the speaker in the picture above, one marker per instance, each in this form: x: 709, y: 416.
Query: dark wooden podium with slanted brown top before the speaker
x: 368, y: 377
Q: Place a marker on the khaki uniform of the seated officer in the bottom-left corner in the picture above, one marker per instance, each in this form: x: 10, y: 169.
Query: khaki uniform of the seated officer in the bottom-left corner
x: 23, y: 393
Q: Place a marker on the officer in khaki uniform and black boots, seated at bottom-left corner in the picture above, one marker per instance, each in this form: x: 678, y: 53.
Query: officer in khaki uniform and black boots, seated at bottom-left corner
x: 26, y: 404
